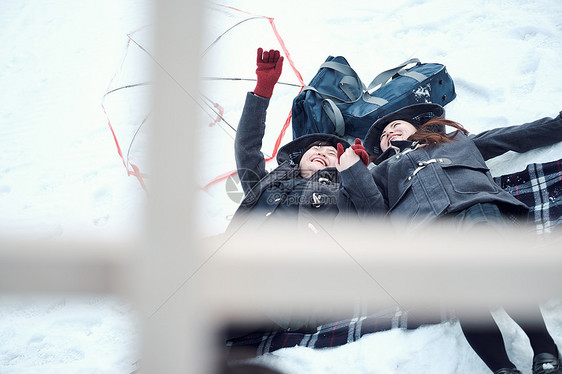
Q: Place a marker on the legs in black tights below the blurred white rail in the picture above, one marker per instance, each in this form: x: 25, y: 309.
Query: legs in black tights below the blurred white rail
x: 485, y: 338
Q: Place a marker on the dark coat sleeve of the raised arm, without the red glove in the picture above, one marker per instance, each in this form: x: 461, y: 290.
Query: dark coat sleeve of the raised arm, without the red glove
x: 250, y: 161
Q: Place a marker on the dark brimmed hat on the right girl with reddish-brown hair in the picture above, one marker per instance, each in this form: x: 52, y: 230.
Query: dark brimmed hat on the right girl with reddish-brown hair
x: 416, y: 114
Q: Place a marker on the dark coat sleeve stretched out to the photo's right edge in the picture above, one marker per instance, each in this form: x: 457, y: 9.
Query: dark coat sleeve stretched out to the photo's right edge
x: 522, y: 138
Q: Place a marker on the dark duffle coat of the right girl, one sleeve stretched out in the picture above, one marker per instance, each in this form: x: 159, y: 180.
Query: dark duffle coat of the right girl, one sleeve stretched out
x: 424, y: 183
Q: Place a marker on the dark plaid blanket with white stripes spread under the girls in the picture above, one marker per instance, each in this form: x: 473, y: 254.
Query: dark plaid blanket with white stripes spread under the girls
x: 539, y: 186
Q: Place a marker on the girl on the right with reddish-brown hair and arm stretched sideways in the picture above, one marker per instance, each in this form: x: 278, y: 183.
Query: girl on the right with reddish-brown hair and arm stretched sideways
x: 424, y: 174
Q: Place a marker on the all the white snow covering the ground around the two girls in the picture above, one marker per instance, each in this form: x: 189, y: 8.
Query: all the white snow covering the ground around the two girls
x: 61, y: 176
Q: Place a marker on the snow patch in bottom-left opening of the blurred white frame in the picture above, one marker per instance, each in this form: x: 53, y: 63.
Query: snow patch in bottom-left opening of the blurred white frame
x: 89, y: 334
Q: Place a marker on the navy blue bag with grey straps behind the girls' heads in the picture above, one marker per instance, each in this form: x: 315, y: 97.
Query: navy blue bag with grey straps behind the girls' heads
x: 337, y: 102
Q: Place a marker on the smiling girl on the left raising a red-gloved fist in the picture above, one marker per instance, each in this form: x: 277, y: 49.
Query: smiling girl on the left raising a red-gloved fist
x: 304, y: 187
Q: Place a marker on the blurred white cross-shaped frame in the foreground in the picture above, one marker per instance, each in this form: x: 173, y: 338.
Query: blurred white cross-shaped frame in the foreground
x: 185, y: 286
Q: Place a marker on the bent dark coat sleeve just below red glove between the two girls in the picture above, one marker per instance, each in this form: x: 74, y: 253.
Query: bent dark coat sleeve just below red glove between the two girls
x: 359, y: 194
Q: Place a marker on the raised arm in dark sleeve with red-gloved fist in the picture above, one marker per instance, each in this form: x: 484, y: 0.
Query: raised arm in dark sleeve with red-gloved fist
x: 251, y: 128
